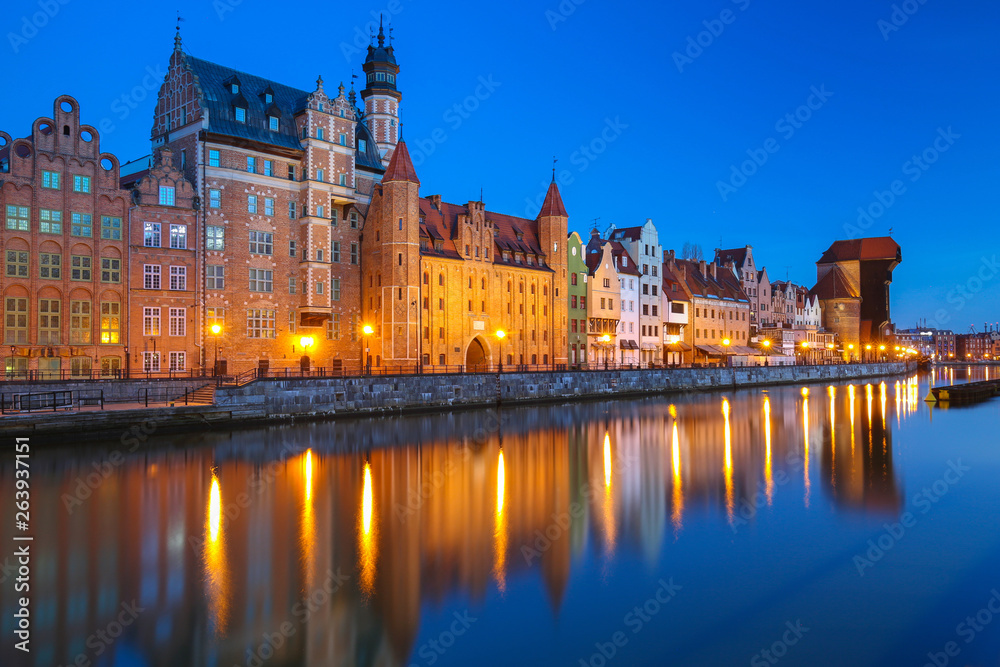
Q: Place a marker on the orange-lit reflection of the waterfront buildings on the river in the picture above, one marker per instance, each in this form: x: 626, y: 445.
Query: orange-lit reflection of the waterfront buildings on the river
x: 206, y: 538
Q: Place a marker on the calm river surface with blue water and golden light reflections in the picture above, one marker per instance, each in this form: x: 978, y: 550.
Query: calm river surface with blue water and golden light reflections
x: 840, y: 525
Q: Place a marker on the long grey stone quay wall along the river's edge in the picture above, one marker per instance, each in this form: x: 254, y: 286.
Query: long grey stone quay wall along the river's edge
x: 275, y: 401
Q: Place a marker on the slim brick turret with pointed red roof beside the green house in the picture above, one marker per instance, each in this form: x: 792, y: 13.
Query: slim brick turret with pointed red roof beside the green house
x: 552, y: 236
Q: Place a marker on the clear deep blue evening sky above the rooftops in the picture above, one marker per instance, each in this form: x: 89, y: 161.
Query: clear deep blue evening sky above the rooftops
x: 649, y: 109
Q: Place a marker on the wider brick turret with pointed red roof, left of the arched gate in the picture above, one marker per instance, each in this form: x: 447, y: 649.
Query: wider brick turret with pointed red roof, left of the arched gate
x: 391, y: 263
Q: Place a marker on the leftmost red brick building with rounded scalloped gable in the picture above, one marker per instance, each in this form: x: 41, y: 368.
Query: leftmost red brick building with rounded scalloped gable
x: 64, y: 285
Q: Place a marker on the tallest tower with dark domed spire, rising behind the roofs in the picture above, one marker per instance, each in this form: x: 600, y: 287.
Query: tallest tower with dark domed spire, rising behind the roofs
x: 381, y: 99
